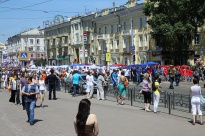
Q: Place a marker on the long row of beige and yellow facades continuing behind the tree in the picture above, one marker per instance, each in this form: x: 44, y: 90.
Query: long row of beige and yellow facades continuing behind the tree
x: 122, y: 32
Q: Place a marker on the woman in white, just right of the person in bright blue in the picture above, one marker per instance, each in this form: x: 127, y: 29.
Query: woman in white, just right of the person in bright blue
x: 90, y: 85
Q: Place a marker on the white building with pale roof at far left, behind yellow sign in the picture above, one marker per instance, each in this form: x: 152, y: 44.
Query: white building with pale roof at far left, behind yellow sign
x: 31, y: 41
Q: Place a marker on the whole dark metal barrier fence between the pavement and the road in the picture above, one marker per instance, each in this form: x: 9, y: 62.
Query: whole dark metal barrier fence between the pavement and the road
x: 170, y: 101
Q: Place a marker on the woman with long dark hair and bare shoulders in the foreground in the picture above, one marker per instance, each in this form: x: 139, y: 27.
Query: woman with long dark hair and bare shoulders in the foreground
x: 85, y: 124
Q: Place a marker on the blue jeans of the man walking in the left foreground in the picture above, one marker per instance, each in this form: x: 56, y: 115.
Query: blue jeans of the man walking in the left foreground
x: 30, y: 110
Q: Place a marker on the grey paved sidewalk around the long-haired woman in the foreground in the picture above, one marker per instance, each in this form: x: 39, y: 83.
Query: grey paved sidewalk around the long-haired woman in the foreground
x: 56, y: 119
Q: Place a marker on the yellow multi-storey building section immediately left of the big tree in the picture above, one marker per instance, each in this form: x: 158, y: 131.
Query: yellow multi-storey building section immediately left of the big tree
x: 122, y: 31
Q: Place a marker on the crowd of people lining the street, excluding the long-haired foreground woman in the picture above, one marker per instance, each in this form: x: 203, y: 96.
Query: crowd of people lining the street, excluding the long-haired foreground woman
x: 30, y: 85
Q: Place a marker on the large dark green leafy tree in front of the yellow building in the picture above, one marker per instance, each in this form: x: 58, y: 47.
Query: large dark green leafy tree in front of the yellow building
x: 174, y: 24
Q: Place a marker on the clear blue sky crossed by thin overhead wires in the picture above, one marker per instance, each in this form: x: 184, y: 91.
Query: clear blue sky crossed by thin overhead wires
x: 19, y: 15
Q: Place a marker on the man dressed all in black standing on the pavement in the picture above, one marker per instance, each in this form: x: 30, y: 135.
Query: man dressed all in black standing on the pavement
x: 51, y: 80
